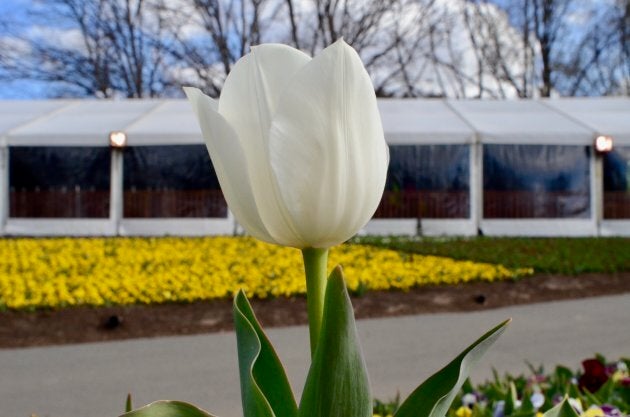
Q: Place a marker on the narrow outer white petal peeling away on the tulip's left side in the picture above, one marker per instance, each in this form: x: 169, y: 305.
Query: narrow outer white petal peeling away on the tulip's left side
x: 229, y: 163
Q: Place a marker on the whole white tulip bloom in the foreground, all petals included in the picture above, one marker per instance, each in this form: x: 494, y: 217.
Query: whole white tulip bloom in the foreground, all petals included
x: 297, y: 144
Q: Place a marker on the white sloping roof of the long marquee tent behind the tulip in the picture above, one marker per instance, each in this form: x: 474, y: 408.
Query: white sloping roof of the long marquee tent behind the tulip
x: 405, y: 121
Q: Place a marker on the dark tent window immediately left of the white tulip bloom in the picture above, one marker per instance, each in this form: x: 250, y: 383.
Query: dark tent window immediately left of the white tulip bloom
x: 171, y: 181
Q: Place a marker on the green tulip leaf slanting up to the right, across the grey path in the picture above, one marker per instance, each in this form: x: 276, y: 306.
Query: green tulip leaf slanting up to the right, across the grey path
x: 434, y: 396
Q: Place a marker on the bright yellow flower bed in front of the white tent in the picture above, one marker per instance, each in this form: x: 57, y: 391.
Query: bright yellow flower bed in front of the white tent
x: 104, y: 271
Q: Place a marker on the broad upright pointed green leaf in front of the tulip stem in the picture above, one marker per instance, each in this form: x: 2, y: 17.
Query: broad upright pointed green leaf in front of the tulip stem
x: 337, y: 383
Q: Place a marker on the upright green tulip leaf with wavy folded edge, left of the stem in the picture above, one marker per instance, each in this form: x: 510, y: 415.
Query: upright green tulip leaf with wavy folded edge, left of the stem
x: 265, y: 389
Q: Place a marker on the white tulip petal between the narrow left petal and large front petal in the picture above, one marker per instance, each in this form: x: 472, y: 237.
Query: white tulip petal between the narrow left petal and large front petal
x: 248, y: 101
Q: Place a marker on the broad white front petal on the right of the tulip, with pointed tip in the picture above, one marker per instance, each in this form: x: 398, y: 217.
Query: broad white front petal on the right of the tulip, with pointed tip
x: 327, y: 147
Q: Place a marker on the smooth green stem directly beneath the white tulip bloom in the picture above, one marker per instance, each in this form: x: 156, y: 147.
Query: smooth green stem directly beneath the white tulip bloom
x: 315, y: 267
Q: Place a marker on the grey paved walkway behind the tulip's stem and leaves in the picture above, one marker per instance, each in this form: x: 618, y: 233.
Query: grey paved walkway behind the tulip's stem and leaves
x: 92, y: 380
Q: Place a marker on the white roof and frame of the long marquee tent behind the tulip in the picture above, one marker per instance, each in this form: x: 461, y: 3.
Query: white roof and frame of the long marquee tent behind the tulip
x: 477, y: 127
